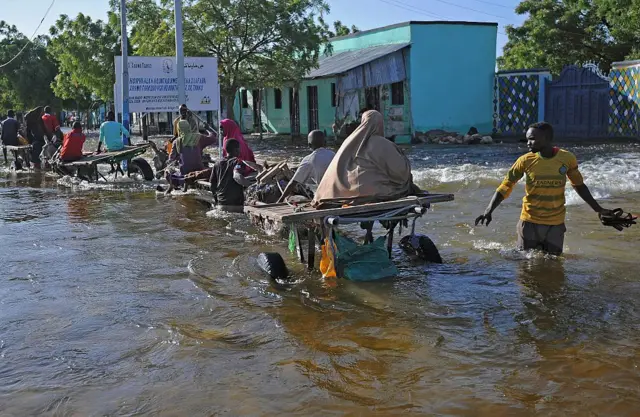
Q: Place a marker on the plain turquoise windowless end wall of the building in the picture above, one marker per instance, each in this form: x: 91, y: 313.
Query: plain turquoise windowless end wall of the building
x: 452, y: 69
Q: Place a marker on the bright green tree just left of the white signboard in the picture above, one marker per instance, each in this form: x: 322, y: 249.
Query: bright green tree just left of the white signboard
x: 85, y: 51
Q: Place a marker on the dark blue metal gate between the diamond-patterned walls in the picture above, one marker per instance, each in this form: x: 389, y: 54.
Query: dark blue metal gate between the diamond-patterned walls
x: 577, y: 103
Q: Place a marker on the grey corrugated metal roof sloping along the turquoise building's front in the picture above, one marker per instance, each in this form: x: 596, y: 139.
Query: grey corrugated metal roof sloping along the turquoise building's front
x: 344, y: 61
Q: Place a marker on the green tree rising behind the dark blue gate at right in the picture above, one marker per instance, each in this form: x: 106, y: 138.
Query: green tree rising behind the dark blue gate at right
x: 563, y: 32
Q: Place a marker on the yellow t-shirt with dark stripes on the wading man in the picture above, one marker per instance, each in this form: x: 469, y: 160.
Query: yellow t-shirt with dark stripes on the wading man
x: 546, y: 178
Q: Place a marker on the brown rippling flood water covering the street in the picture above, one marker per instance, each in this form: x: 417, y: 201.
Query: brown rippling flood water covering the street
x: 122, y: 302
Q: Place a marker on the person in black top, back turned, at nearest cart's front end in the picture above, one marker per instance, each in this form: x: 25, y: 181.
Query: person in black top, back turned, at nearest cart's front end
x: 227, y: 181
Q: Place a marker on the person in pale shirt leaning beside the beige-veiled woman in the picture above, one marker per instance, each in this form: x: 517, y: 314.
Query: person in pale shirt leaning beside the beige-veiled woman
x: 313, y: 166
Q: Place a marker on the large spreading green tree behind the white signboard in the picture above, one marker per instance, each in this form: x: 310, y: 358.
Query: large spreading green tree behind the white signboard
x: 257, y: 42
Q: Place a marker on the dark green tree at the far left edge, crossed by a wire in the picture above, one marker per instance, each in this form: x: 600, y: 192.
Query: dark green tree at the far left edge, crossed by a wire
x: 26, y: 82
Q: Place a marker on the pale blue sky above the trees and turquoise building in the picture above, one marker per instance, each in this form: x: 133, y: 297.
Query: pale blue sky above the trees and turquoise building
x: 366, y: 14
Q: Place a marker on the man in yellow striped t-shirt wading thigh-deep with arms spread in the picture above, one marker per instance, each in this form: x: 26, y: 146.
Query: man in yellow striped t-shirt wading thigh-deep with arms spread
x: 546, y: 169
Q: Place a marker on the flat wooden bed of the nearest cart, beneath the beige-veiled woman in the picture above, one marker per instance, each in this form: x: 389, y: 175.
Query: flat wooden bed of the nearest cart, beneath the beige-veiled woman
x: 286, y: 214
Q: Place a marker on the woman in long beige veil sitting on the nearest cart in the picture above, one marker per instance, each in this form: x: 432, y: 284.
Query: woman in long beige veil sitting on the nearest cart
x: 367, y: 168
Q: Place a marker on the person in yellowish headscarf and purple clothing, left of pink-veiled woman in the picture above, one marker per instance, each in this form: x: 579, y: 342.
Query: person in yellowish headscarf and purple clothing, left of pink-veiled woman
x: 187, y: 153
